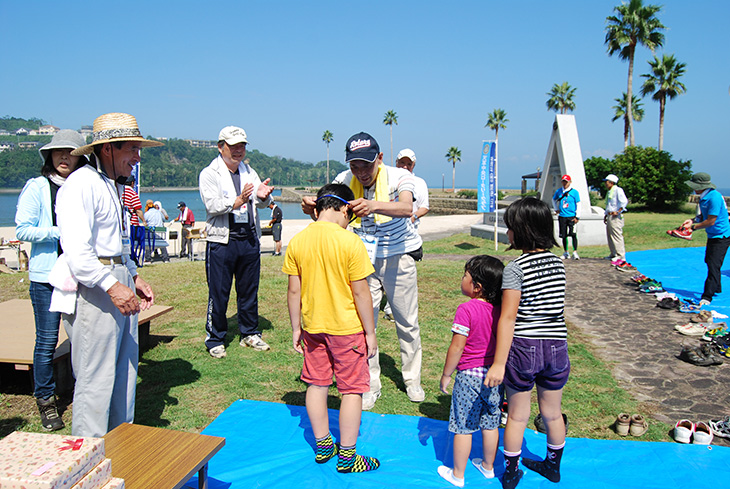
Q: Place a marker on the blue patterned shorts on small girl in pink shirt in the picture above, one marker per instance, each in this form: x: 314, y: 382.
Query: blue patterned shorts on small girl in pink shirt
x: 474, y: 406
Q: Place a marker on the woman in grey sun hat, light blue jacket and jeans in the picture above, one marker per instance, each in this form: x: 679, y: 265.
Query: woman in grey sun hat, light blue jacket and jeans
x: 35, y: 222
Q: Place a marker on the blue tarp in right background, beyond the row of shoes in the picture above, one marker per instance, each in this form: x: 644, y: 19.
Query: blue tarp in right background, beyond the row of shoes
x: 682, y: 271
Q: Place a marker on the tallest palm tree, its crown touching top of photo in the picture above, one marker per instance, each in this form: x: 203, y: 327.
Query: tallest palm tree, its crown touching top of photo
x: 633, y: 24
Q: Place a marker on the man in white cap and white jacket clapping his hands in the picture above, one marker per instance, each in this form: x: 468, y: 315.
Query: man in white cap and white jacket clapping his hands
x: 231, y: 191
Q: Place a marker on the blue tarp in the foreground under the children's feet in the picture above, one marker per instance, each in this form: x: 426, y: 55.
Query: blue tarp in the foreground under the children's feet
x: 271, y: 445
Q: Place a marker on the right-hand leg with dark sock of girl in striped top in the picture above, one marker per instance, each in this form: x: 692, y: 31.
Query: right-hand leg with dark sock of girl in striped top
x: 549, y: 401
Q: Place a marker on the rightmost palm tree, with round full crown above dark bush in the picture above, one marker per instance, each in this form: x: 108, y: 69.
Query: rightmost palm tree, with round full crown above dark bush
x: 663, y: 82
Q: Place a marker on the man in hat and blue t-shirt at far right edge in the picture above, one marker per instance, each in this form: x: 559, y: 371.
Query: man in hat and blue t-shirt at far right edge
x: 712, y: 217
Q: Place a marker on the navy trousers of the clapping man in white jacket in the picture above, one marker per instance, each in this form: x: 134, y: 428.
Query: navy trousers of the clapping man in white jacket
x: 240, y: 259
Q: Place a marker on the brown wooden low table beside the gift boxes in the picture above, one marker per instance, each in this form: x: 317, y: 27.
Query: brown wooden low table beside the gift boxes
x: 156, y: 458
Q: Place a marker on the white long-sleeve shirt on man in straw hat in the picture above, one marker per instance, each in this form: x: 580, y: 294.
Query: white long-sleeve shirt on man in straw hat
x: 90, y: 218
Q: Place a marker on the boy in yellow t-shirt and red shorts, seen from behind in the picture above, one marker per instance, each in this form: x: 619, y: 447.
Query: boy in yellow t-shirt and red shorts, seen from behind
x: 331, y: 315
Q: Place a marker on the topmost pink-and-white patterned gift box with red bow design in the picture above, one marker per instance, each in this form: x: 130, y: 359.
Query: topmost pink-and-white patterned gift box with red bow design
x: 46, y: 461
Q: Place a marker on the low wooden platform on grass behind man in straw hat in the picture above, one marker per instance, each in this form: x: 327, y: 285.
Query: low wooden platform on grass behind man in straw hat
x: 17, y: 327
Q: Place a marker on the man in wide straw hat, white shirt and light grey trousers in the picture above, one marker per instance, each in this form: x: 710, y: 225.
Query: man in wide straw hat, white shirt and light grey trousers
x: 95, y: 239
